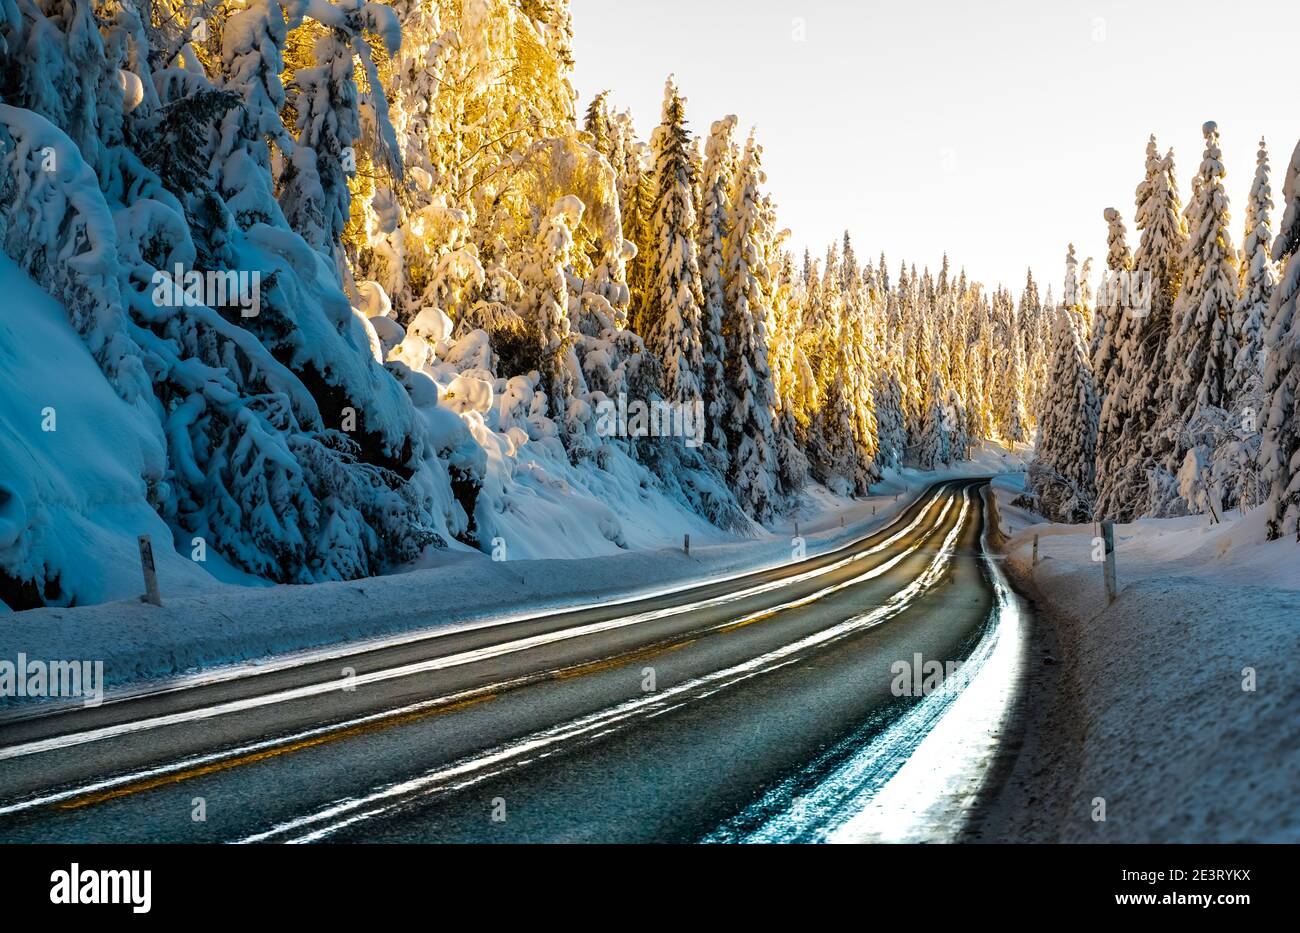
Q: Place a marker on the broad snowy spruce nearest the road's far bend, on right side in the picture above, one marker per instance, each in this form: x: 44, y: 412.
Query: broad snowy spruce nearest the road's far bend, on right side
x: 1063, y: 472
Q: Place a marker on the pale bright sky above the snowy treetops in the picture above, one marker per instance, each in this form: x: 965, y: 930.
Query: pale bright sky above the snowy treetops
x: 996, y: 131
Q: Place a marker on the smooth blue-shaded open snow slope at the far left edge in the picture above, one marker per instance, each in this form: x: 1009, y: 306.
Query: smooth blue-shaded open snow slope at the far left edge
x: 72, y: 461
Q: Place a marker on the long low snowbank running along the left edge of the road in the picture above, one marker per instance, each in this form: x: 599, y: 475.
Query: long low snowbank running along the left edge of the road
x: 232, y: 624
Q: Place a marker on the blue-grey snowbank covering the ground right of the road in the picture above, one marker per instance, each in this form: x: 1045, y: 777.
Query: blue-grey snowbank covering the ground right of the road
x: 1151, y: 709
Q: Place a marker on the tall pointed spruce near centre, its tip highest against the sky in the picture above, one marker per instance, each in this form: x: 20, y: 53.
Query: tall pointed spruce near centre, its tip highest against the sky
x: 671, y: 318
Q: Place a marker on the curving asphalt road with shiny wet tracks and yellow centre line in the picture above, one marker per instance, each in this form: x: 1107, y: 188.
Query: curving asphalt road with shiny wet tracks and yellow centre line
x: 713, y: 713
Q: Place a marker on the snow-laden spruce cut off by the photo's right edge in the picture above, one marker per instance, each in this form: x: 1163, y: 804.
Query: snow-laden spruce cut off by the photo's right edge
x: 1280, y: 455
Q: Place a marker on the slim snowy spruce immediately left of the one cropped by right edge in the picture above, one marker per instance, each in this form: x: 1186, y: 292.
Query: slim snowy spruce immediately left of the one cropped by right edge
x: 1259, y: 279
